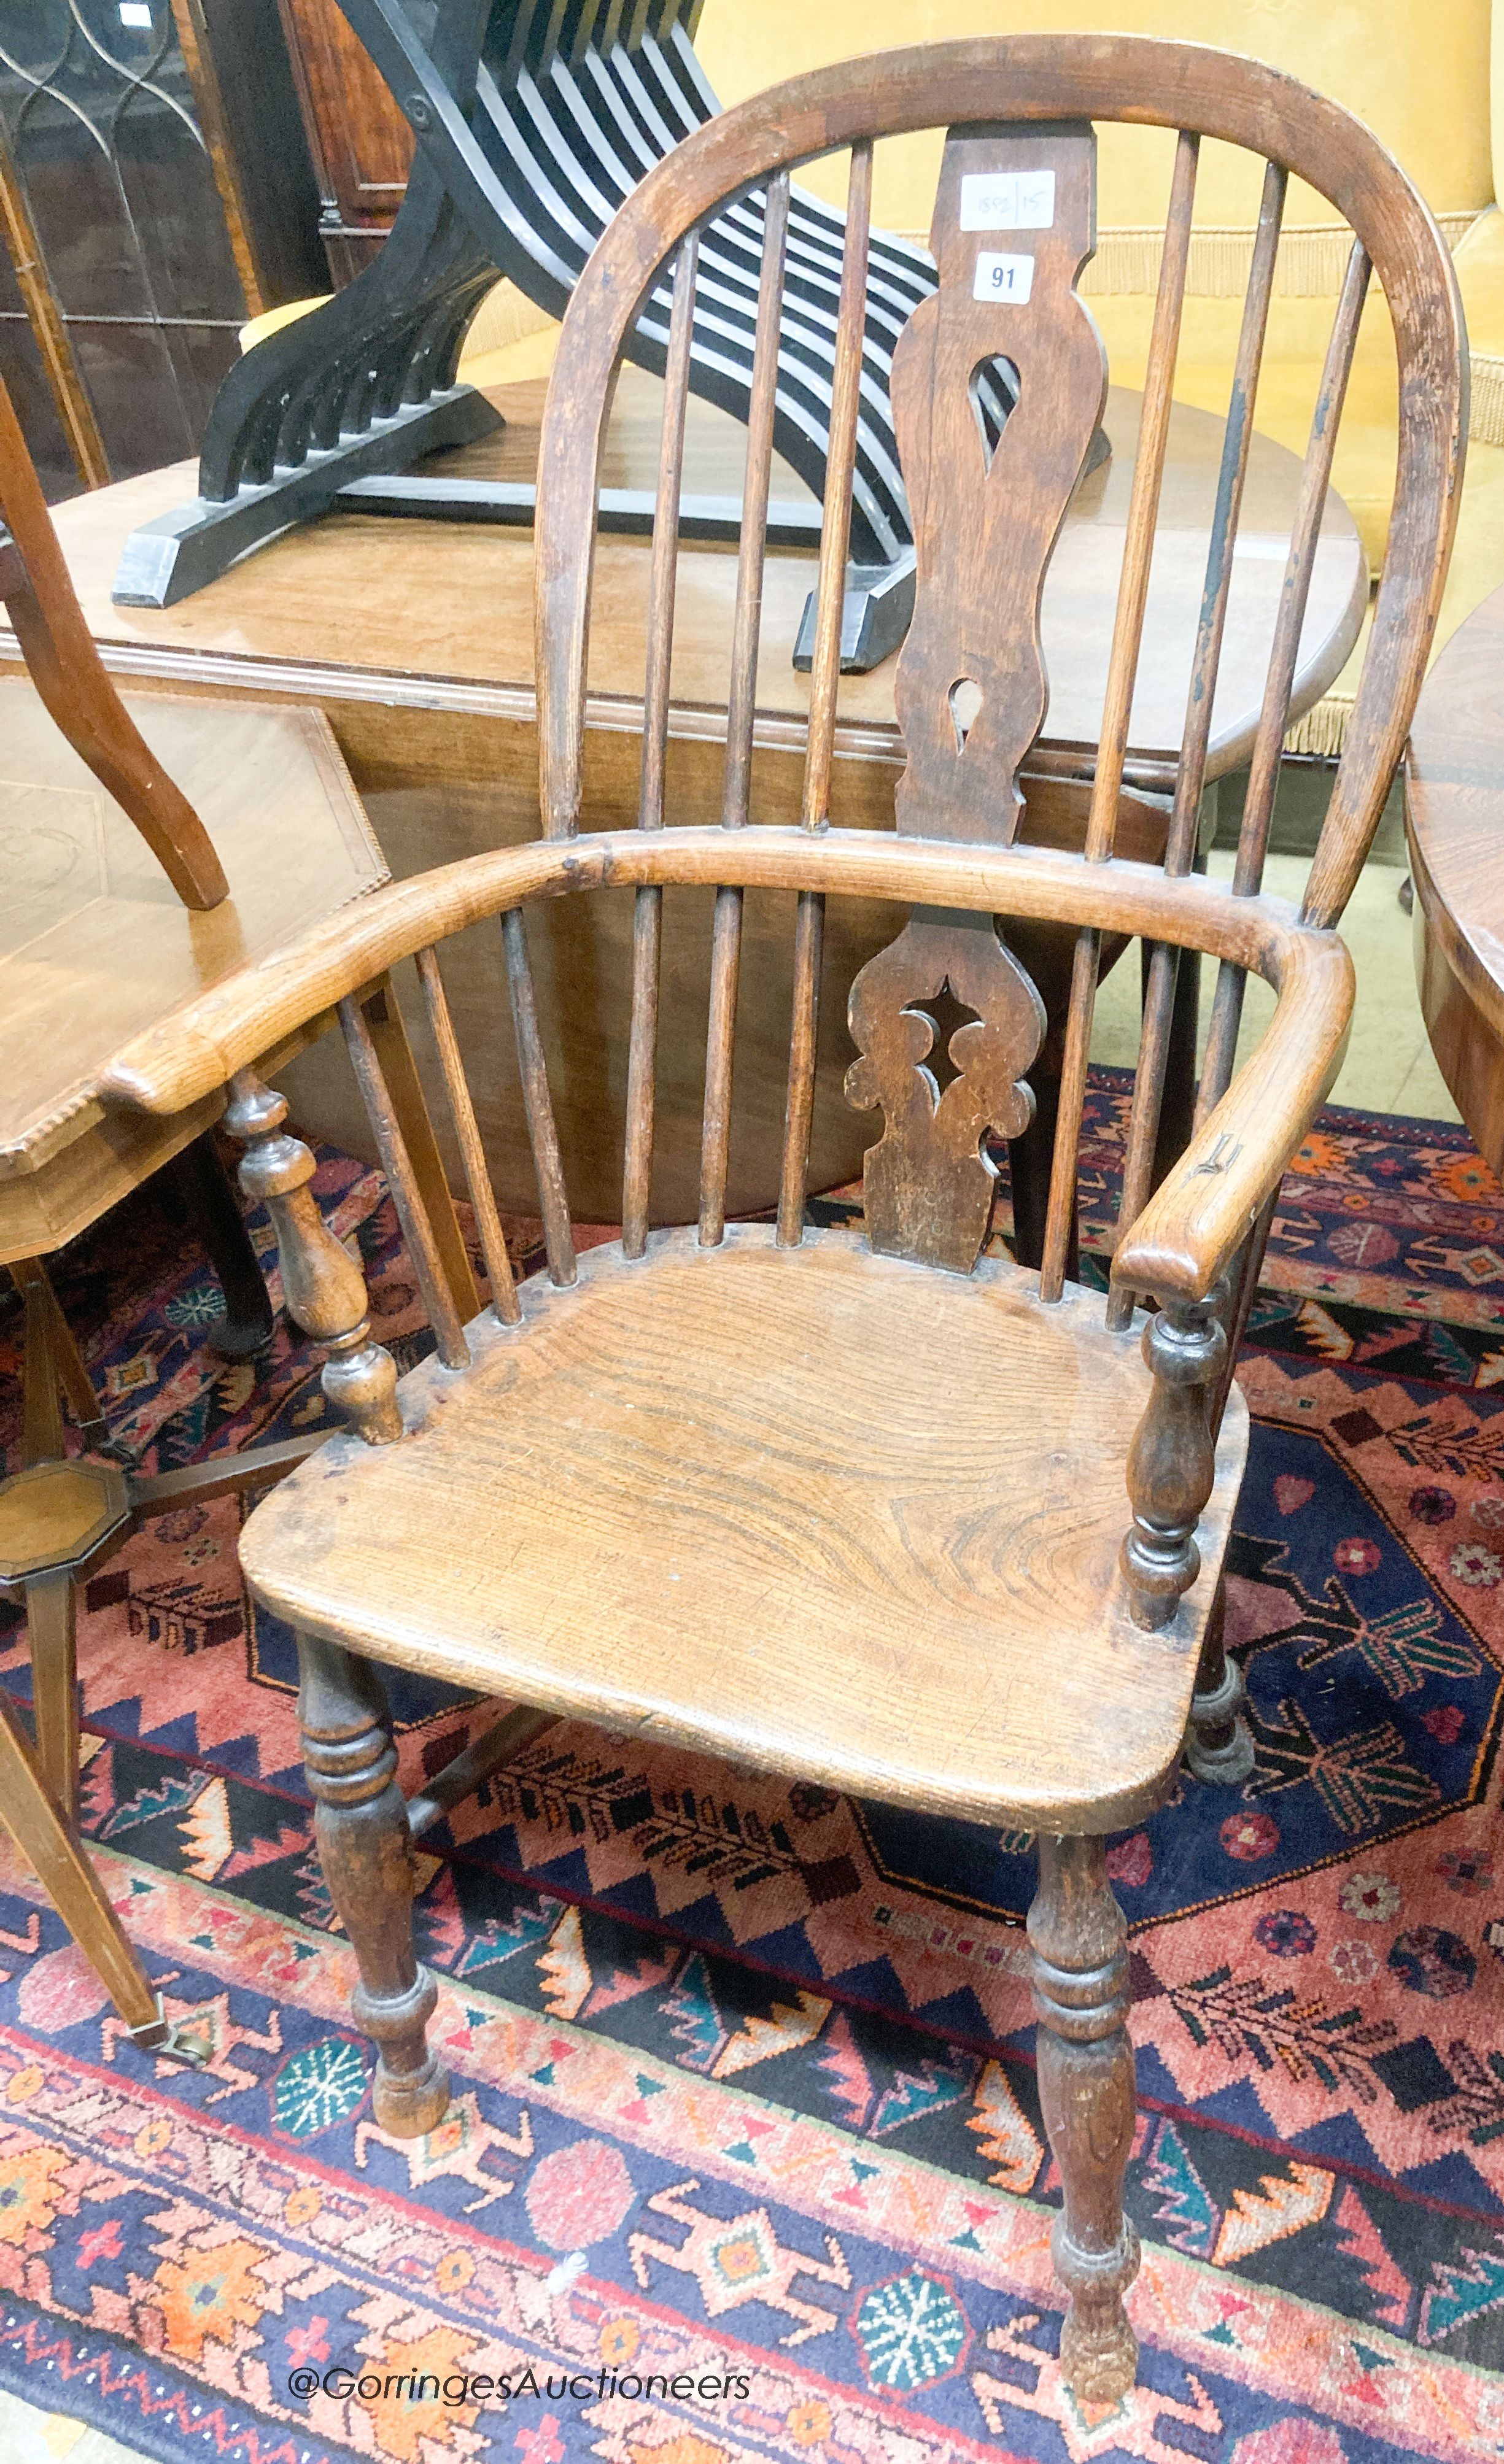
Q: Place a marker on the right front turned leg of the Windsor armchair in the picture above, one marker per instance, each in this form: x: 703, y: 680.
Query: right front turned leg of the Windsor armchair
x: 1086, y: 2078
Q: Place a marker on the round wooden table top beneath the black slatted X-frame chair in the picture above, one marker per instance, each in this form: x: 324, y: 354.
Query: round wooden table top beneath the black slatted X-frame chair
x: 440, y: 617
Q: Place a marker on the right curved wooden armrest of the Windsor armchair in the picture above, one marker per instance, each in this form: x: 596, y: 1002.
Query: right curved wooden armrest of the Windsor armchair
x: 1197, y: 1221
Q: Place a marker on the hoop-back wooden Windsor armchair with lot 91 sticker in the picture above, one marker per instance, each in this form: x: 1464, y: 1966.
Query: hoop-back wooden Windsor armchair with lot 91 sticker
x: 896, y: 1512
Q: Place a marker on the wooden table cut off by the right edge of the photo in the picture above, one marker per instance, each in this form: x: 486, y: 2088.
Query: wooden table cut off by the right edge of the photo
x: 1456, y: 827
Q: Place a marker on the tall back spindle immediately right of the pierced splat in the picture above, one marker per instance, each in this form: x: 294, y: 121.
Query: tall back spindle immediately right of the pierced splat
x: 1123, y: 667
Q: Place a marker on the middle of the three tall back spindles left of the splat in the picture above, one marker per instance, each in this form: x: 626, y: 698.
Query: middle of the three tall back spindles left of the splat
x: 726, y: 945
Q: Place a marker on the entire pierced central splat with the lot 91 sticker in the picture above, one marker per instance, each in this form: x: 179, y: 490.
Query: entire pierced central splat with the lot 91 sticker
x: 1015, y: 223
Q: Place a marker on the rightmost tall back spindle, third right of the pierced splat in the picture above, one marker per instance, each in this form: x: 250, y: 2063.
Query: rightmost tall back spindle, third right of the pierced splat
x: 1264, y: 772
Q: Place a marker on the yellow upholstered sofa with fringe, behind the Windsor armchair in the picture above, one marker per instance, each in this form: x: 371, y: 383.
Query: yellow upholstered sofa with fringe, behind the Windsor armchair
x: 1426, y: 75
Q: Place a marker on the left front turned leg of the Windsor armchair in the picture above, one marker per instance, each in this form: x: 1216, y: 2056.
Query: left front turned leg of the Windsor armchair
x: 366, y: 1852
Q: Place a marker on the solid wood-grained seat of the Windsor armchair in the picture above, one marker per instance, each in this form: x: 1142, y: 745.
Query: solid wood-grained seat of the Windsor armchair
x: 812, y: 1507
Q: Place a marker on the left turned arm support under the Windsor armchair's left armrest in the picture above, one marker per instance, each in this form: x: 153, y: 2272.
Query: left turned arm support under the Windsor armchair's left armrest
x: 322, y: 1283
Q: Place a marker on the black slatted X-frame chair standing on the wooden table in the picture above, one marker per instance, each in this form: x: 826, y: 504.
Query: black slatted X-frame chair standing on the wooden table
x: 531, y: 127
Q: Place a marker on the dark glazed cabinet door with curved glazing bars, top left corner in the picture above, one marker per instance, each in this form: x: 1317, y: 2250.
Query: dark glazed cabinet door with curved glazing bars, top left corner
x: 142, y: 221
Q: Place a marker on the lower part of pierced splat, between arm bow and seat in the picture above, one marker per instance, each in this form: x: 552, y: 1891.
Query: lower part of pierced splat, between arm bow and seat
x: 946, y: 1024
